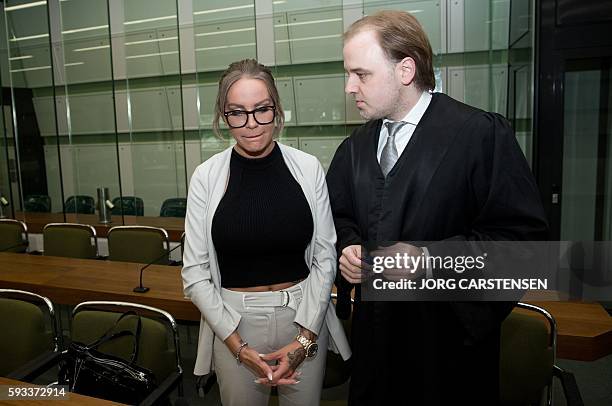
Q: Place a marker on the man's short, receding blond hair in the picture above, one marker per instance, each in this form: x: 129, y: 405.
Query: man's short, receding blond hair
x: 400, y: 35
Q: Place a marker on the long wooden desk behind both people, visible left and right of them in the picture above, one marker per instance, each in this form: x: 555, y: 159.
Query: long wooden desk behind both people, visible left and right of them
x: 584, y: 329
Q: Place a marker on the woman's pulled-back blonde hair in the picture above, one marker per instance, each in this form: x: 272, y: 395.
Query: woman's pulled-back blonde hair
x: 247, y: 68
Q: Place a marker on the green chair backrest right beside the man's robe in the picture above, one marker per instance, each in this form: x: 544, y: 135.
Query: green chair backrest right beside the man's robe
x: 527, y: 356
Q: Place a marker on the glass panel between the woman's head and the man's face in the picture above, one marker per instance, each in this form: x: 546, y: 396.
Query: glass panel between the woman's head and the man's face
x: 310, y: 76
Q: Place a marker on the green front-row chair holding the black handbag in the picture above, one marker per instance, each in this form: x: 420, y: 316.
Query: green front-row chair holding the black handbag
x: 158, y: 346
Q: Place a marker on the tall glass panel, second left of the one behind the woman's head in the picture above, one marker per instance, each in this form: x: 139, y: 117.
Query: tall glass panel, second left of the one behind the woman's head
x: 86, y: 98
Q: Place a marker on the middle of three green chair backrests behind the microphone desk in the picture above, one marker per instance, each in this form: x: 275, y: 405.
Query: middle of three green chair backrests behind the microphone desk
x: 70, y: 240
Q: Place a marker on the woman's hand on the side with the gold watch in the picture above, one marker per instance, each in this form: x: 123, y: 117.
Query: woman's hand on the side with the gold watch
x: 288, y: 359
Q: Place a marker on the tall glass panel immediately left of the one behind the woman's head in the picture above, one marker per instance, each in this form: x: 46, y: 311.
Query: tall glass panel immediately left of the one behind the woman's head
x: 156, y: 177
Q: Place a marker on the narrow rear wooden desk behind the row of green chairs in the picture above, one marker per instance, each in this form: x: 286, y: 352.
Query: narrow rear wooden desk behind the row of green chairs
x: 37, y: 221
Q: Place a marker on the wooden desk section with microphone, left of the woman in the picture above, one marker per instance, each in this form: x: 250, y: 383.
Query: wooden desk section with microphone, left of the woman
x: 71, y: 281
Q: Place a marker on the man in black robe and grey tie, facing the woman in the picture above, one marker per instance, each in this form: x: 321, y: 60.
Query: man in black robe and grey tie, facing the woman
x: 451, y: 172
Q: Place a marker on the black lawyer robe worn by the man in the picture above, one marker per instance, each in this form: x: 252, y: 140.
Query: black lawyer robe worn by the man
x: 462, y: 176
